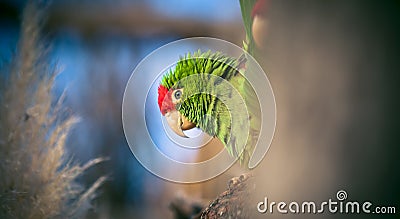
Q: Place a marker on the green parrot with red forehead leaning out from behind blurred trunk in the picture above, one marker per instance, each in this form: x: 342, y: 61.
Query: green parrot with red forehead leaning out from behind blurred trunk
x: 210, y: 91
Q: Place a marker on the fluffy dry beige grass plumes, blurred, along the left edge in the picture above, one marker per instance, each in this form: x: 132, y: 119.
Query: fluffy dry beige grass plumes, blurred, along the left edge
x: 36, y: 179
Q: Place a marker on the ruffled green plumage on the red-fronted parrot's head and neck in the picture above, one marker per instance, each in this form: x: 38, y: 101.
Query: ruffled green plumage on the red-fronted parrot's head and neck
x: 206, y: 72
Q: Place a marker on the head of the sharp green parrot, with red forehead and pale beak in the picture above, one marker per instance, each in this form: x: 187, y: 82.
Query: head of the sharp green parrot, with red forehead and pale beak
x: 184, y: 92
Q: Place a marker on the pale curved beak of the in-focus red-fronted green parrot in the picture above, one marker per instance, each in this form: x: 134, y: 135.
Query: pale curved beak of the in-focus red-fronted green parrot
x: 177, y: 122
